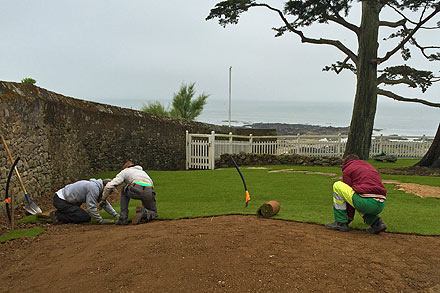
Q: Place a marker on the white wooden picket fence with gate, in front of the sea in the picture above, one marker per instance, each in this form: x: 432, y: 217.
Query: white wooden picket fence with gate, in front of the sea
x: 203, y: 149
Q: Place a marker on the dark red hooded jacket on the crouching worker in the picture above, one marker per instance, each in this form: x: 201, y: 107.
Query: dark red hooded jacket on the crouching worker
x: 363, y: 178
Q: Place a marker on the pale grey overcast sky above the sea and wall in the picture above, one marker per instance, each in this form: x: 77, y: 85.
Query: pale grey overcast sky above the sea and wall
x: 106, y: 50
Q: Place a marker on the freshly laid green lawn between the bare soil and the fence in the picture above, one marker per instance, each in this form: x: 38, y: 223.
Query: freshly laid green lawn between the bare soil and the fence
x: 303, y: 197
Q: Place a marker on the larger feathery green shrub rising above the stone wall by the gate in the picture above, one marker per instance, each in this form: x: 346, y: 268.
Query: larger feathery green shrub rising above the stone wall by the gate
x: 184, y: 107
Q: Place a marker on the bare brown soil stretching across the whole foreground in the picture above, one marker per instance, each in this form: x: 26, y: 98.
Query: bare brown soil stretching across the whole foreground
x: 219, y: 254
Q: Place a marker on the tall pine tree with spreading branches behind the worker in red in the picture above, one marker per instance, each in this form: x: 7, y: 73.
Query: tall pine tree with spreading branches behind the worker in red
x: 414, y: 16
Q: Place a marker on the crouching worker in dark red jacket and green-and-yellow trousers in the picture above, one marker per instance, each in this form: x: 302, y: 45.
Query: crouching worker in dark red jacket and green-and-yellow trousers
x: 361, y: 189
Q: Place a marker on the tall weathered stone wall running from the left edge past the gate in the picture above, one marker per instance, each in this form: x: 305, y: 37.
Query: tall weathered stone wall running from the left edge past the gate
x: 62, y: 139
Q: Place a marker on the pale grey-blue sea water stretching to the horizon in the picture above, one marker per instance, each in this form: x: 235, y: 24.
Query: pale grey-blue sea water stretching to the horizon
x: 392, y: 117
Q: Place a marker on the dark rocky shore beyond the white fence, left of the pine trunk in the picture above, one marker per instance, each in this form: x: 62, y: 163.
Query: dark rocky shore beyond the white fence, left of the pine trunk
x: 294, y: 129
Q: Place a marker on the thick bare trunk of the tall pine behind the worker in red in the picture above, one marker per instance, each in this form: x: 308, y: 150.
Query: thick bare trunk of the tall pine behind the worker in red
x: 364, y: 109
